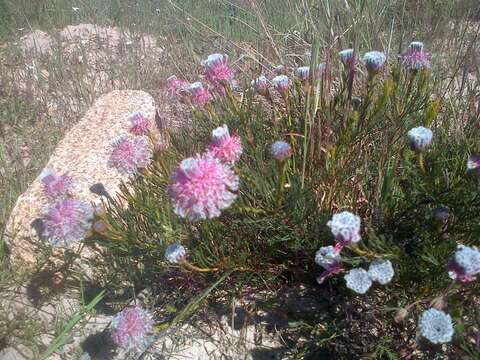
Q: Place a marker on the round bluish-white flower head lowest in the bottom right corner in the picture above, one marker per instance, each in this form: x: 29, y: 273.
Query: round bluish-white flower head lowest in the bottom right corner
x: 436, y: 326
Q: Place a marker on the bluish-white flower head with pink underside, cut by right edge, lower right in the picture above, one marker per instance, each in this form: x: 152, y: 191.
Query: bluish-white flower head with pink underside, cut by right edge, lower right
x: 465, y: 264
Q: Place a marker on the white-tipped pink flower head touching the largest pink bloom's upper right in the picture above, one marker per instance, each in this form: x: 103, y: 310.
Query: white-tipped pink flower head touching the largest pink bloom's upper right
x: 224, y: 147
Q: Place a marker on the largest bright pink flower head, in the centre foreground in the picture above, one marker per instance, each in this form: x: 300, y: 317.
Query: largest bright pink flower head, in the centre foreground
x: 201, y: 187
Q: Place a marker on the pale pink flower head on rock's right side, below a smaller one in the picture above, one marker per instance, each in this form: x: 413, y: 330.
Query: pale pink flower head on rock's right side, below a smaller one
x: 130, y: 154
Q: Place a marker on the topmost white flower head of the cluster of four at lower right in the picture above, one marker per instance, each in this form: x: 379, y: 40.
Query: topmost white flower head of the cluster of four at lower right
x: 345, y: 227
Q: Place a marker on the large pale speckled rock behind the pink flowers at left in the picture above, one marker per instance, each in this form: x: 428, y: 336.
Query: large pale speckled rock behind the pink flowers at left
x: 83, y: 153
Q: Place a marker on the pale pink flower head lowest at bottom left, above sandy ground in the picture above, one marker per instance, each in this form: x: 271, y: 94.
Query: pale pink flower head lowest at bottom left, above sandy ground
x: 130, y: 329
